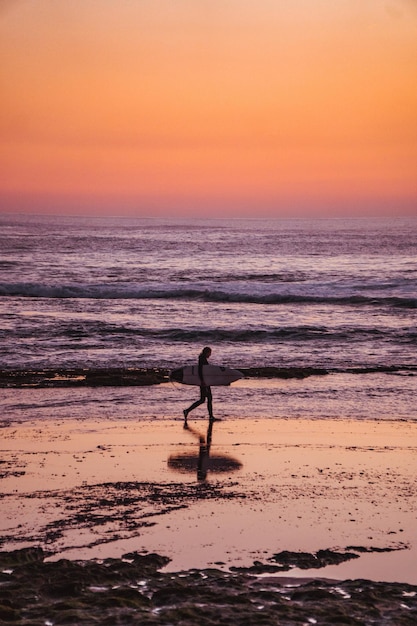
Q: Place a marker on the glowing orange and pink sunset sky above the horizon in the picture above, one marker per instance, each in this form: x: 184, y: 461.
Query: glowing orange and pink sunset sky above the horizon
x: 208, y: 107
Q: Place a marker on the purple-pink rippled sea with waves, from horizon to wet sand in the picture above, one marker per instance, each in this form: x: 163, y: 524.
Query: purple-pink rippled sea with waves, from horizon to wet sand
x: 337, y: 295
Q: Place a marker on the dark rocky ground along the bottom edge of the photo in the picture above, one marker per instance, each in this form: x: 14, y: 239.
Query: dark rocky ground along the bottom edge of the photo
x: 134, y: 590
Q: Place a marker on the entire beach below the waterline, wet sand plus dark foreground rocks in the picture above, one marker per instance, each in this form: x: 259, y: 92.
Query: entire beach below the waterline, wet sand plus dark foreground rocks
x: 263, y: 503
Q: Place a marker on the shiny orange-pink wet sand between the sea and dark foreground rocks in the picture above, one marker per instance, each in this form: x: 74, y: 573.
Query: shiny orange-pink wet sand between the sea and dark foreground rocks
x: 96, y: 488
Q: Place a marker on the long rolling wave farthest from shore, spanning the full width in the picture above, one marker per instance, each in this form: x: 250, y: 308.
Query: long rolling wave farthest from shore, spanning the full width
x: 135, y: 292
